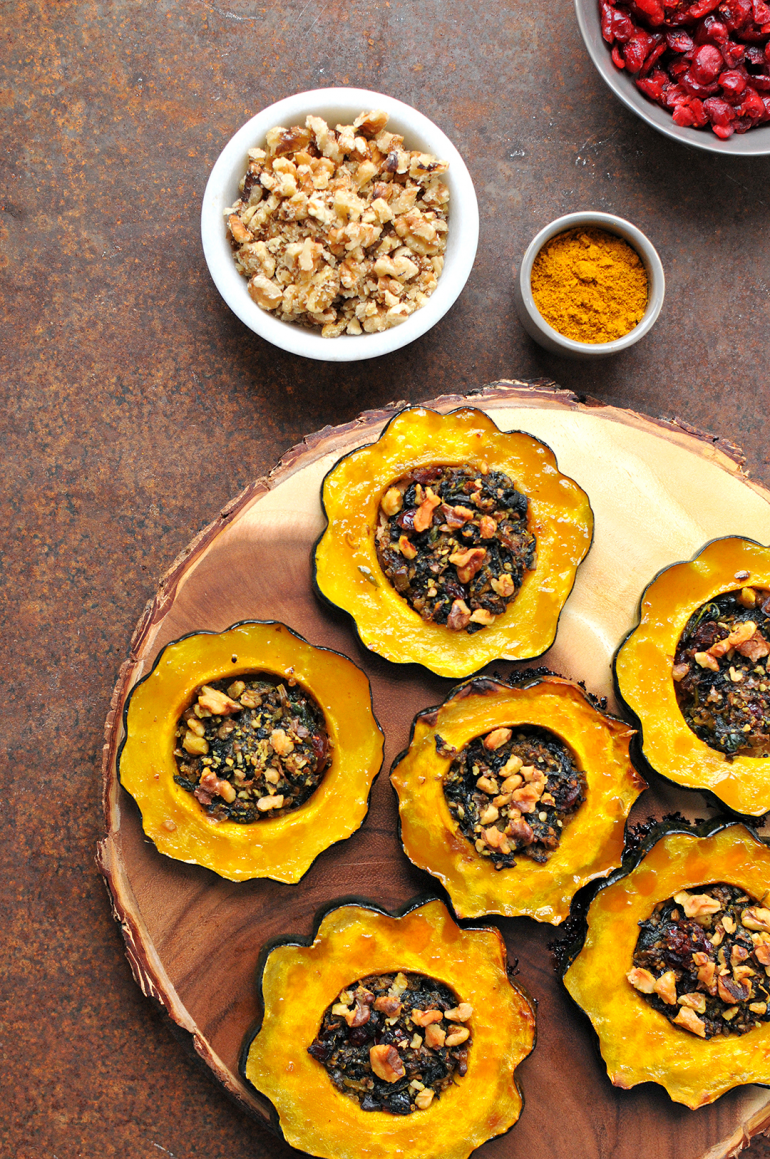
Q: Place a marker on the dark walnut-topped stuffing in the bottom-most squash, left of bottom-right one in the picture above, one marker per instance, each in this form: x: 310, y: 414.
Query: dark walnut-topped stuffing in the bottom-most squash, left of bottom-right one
x: 395, y: 1043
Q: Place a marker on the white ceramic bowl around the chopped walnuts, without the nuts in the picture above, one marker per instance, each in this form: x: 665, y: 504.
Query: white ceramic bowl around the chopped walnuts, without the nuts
x: 339, y: 106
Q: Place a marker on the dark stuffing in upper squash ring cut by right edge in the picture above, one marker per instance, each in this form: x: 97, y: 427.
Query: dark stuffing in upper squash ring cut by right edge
x: 721, y: 673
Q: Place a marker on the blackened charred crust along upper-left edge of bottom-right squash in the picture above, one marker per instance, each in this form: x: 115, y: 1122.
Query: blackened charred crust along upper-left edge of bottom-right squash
x: 641, y: 840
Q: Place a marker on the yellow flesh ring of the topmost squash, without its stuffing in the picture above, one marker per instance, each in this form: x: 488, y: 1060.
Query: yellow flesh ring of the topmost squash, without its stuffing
x: 348, y: 573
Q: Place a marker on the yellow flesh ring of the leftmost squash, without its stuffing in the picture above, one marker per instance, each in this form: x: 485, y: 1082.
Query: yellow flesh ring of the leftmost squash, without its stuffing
x: 281, y: 848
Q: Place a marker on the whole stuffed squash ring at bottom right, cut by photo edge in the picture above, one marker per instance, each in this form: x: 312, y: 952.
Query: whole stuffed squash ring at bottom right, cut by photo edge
x: 694, y: 1016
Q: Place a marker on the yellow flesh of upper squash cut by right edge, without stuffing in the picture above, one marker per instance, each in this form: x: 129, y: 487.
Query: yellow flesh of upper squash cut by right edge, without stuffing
x: 644, y: 675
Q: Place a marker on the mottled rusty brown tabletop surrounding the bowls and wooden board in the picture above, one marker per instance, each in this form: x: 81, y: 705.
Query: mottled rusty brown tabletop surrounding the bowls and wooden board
x: 137, y: 405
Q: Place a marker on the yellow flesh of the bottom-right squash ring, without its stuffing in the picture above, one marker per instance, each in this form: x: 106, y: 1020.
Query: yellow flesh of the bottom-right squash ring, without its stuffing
x: 638, y: 1044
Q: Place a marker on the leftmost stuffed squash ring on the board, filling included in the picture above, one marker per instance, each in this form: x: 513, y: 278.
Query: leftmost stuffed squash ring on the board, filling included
x: 250, y: 752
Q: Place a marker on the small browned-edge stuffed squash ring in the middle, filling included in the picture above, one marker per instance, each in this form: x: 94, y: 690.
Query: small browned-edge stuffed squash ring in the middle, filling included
x: 517, y: 796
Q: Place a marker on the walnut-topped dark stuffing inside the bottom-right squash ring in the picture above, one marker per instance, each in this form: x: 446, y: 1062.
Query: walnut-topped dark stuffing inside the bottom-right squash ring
x: 703, y: 960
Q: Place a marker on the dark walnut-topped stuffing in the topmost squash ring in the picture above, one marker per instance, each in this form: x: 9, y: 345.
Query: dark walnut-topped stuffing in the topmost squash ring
x: 455, y: 544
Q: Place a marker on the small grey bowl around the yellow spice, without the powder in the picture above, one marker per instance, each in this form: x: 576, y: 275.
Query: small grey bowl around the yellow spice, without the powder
x: 537, y: 327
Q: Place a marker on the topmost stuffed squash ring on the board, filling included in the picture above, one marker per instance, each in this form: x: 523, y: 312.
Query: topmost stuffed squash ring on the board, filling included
x: 452, y: 543
